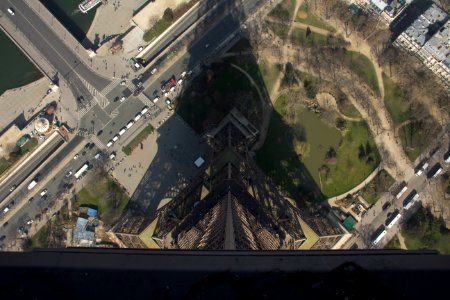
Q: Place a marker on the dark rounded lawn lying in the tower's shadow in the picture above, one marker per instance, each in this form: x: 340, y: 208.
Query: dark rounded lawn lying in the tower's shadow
x: 214, y: 93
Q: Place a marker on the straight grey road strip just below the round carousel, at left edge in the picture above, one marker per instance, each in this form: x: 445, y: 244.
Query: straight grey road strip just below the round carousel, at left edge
x: 34, y: 163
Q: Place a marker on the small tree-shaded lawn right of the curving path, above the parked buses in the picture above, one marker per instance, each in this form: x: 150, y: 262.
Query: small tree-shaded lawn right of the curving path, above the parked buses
x: 413, y: 138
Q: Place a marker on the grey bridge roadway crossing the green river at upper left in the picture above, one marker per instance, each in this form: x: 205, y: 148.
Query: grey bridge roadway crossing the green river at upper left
x: 38, y: 30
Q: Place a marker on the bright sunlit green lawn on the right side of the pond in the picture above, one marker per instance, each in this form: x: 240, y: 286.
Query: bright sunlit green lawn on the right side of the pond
x: 349, y: 170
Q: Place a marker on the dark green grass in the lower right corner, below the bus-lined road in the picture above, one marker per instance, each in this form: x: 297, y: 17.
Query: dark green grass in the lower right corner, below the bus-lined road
x: 424, y: 231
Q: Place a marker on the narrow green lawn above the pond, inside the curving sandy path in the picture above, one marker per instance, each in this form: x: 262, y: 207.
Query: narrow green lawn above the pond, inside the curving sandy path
x: 363, y: 67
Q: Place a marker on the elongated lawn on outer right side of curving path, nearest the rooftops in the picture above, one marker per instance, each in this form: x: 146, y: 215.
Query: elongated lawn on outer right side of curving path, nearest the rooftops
x: 395, y: 101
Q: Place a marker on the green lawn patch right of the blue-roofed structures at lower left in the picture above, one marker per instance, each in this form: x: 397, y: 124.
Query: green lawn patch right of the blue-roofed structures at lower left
x: 103, y: 193
